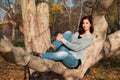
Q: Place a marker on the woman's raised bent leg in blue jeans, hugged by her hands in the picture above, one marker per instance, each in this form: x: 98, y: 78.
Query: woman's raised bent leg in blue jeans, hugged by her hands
x: 67, y: 35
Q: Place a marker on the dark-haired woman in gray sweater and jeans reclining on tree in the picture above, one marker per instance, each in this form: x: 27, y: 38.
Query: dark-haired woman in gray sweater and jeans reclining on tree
x: 72, y: 47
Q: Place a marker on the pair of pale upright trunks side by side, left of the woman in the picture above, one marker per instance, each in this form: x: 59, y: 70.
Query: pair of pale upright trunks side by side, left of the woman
x: 35, y: 26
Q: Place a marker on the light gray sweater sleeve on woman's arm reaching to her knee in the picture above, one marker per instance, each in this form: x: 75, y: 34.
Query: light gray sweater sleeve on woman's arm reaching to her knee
x: 79, y: 46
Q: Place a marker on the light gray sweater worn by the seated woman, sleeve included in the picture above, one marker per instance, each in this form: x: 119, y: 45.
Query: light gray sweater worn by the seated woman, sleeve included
x: 78, y: 46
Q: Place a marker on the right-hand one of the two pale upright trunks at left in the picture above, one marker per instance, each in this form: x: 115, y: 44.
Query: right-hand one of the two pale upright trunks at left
x: 43, y: 27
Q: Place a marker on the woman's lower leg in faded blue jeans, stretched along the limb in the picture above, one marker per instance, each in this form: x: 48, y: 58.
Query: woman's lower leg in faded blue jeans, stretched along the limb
x: 63, y: 56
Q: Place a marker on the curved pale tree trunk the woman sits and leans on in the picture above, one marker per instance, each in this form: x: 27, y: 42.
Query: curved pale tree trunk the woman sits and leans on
x: 101, y: 46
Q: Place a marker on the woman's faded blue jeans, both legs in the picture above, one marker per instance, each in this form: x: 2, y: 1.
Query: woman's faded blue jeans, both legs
x: 62, y: 54
